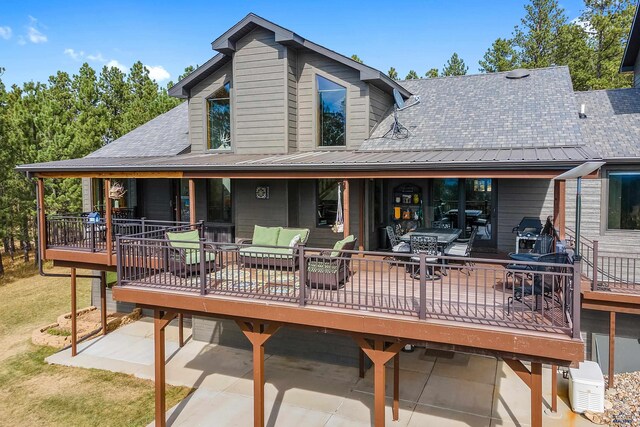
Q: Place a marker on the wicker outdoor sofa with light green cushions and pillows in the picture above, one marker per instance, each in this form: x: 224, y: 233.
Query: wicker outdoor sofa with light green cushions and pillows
x: 273, y: 247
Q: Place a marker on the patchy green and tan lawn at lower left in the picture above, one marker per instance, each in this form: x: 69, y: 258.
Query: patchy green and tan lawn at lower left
x: 33, y: 393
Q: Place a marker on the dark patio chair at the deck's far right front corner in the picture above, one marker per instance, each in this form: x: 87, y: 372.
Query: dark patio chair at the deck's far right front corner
x: 541, y: 287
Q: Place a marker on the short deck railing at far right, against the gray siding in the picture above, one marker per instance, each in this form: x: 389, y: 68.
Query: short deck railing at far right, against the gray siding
x: 609, y: 271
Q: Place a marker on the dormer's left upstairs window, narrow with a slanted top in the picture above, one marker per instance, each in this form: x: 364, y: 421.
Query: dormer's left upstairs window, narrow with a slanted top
x: 219, y: 119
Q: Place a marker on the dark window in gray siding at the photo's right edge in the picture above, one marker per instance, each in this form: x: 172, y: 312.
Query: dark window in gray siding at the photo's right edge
x: 624, y: 201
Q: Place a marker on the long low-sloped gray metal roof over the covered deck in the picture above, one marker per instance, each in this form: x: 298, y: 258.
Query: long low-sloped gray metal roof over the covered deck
x: 530, y: 158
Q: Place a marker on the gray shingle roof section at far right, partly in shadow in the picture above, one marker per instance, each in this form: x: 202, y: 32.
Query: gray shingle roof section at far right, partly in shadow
x: 612, y: 124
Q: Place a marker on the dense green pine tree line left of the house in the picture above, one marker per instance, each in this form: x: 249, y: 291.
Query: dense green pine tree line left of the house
x: 67, y: 117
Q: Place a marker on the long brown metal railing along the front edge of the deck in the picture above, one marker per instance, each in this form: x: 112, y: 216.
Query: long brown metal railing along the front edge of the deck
x: 523, y: 295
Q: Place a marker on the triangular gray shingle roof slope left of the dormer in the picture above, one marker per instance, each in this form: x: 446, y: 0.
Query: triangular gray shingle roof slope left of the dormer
x: 165, y: 135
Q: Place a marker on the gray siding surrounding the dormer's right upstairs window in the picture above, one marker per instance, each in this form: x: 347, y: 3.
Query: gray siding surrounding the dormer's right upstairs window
x: 310, y: 64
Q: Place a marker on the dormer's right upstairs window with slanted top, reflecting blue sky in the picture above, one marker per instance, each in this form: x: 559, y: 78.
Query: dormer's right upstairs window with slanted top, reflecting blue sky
x: 332, y: 113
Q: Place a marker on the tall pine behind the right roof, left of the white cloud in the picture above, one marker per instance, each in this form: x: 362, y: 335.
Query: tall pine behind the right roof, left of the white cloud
x: 536, y: 36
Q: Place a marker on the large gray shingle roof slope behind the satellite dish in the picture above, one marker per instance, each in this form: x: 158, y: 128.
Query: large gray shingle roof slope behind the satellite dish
x: 486, y: 111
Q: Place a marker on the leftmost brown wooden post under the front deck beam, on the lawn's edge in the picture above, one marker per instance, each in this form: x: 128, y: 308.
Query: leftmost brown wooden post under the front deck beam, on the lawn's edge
x: 160, y: 321
